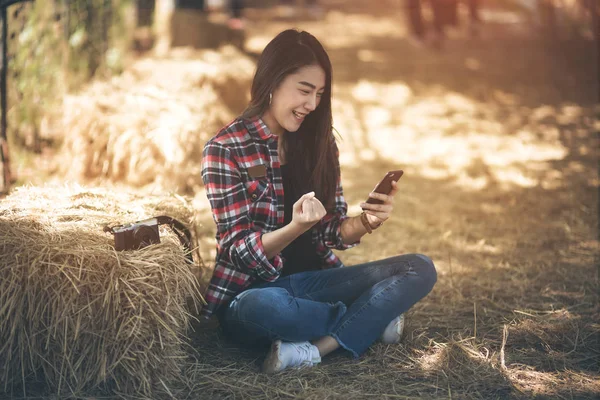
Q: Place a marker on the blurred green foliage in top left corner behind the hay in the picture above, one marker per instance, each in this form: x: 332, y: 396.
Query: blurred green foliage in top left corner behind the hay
x: 55, y: 47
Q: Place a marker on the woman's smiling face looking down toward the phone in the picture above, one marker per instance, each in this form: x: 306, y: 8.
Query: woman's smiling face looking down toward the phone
x: 297, y: 95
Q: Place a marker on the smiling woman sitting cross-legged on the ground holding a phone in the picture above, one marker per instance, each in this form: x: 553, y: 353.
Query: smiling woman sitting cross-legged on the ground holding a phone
x: 272, y: 177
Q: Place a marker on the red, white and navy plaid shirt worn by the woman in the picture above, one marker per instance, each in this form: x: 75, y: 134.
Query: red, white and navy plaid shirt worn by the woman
x: 245, y: 206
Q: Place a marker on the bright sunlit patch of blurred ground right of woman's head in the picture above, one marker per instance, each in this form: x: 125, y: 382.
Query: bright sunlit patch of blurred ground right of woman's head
x: 447, y: 135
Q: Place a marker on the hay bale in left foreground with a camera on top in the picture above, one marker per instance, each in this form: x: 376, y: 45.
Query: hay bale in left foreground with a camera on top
x: 81, y: 315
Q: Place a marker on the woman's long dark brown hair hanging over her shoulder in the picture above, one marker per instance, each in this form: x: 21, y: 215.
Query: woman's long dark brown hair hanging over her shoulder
x: 310, y: 152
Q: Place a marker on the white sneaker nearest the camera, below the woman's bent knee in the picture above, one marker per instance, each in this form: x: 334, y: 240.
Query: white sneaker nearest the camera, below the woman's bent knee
x: 290, y: 355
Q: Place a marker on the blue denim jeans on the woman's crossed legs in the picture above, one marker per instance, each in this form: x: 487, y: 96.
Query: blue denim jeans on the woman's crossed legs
x: 352, y: 304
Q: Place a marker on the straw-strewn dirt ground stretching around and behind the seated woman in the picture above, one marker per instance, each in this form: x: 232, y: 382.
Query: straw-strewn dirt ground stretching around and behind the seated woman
x: 499, y: 139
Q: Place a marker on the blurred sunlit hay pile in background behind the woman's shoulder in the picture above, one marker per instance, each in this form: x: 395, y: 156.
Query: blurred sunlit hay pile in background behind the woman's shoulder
x: 148, y: 125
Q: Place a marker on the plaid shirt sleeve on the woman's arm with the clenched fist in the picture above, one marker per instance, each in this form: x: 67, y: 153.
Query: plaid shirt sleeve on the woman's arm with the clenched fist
x: 237, y: 235
